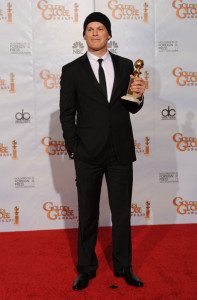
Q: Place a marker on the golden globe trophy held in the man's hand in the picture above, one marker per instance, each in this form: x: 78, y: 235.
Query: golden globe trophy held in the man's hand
x: 130, y: 96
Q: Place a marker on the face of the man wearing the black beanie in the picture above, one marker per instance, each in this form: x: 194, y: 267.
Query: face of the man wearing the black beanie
x: 96, y: 36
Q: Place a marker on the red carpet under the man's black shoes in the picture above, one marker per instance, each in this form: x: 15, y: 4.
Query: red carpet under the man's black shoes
x: 41, y: 265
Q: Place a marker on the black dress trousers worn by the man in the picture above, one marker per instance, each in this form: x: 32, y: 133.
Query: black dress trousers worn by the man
x: 119, y: 178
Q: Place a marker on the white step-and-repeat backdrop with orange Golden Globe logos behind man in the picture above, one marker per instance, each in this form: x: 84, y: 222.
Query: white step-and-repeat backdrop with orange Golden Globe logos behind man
x: 38, y: 37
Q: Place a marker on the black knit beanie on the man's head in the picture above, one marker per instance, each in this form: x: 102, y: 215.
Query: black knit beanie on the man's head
x: 97, y: 17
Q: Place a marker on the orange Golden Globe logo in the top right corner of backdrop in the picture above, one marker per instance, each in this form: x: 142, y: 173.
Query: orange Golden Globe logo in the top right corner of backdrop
x: 185, y: 10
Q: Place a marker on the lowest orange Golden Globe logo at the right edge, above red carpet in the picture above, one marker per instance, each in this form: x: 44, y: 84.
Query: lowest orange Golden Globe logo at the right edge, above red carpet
x: 185, y: 207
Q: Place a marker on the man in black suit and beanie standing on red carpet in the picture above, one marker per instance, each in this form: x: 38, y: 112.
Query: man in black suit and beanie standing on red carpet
x: 101, y: 142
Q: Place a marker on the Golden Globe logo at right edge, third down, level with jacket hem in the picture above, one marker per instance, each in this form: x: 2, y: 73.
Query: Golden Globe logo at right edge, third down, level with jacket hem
x: 185, y: 143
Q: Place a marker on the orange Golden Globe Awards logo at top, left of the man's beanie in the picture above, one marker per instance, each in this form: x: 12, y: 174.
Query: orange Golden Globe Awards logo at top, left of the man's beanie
x: 58, y: 12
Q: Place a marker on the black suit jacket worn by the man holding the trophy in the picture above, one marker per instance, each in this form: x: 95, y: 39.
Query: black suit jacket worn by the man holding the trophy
x: 87, y: 133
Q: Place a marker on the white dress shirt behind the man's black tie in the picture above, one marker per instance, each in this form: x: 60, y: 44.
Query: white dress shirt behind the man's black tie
x: 108, y: 68
